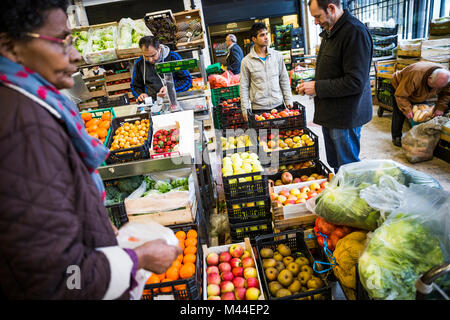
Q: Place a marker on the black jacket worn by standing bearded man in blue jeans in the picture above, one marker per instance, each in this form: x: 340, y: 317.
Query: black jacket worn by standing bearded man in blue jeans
x: 343, y: 95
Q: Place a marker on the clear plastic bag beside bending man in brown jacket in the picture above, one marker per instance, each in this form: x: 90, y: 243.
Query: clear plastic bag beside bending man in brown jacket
x: 419, y: 142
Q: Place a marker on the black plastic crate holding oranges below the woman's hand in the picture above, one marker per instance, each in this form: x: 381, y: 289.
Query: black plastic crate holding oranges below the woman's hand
x: 181, y: 289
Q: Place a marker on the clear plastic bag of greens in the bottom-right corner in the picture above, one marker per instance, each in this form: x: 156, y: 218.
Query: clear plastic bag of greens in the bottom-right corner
x: 414, y: 238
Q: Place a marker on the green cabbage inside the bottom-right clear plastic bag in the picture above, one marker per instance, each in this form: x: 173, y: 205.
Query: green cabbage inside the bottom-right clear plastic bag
x: 396, y: 255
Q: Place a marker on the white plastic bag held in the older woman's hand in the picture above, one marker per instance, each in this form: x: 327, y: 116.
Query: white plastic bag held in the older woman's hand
x: 134, y: 234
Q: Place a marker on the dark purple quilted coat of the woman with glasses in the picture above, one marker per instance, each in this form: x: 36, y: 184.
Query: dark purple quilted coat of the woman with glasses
x: 51, y: 213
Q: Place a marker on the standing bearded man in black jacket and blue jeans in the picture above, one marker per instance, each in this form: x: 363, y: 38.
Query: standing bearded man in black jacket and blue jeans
x: 341, y: 90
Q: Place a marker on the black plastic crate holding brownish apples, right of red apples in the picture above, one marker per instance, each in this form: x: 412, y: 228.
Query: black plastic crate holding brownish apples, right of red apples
x: 295, y: 240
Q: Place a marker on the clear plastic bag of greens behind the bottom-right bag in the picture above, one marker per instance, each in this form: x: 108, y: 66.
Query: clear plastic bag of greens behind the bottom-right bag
x: 341, y: 202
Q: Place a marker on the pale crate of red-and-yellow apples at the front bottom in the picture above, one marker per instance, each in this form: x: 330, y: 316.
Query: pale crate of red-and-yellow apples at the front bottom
x: 231, y: 273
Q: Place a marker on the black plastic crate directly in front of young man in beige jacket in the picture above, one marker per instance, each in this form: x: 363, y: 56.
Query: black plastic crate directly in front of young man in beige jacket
x: 297, y: 121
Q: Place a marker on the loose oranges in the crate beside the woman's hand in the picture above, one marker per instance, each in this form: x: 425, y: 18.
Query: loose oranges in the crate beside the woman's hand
x: 182, y: 268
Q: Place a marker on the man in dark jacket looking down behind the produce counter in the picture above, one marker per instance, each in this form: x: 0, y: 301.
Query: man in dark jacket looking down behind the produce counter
x: 145, y: 81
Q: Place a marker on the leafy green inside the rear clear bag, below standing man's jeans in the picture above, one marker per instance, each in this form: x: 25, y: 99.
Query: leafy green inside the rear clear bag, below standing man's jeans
x: 343, y: 205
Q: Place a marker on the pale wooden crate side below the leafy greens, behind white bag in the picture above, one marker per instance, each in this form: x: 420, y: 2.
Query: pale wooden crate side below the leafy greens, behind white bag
x: 168, y: 218
